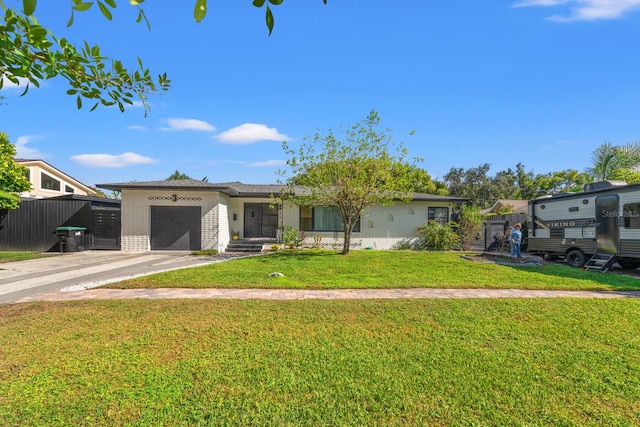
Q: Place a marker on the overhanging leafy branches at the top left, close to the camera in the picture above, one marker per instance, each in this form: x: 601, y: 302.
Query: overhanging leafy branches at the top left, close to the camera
x: 30, y: 51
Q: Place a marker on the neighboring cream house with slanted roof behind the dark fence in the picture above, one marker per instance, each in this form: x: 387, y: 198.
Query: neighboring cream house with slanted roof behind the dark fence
x: 48, y: 181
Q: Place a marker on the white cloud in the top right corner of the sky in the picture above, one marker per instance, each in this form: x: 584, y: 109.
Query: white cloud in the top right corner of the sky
x: 586, y: 10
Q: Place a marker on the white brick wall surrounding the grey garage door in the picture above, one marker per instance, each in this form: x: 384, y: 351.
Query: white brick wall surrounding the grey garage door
x: 136, y: 215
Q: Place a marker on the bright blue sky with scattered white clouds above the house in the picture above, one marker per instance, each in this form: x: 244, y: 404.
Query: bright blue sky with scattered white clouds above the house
x: 542, y: 82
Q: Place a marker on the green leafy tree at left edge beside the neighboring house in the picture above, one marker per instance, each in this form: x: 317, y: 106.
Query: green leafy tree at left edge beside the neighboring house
x: 13, y: 177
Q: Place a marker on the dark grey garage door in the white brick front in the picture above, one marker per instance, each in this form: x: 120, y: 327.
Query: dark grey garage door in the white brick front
x: 175, y: 228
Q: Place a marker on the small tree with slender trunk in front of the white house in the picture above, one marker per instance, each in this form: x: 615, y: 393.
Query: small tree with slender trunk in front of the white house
x: 354, y: 169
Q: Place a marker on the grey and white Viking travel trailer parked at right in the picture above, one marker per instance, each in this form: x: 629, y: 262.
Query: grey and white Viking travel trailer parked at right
x: 603, y: 219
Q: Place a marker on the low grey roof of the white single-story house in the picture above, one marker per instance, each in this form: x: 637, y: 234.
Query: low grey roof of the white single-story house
x: 237, y: 189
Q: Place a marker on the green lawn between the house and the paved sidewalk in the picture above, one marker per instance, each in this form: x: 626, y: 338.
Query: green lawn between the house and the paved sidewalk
x: 312, y: 269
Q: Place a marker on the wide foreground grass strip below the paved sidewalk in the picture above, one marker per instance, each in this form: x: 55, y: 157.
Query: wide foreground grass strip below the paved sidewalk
x: 315, y: 363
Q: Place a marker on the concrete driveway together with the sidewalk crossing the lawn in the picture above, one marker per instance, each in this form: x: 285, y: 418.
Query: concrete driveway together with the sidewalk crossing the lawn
x: 76, y: 276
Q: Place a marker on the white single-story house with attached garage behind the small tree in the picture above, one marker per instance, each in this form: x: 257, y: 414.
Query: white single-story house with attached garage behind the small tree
x: 191, y: 215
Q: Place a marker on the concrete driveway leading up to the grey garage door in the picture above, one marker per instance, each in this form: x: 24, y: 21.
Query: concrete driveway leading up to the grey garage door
x: 84, y: 270
